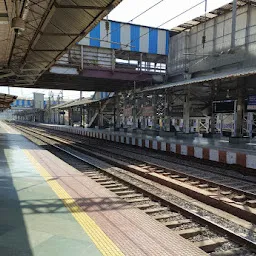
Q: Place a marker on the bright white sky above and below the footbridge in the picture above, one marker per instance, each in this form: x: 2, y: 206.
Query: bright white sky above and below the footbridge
x: 125, y: 12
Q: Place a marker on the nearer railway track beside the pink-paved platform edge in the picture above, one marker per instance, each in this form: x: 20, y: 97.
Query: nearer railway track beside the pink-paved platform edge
x: 205, y: 231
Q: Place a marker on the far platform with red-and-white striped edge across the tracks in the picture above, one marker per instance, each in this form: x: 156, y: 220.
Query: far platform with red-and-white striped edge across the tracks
x: 213, y: 149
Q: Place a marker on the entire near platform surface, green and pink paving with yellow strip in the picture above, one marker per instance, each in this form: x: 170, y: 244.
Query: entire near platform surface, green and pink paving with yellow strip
x: 49, y: 208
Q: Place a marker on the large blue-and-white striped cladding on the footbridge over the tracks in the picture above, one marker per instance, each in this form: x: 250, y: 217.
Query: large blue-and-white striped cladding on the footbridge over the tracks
x: 128, y: 37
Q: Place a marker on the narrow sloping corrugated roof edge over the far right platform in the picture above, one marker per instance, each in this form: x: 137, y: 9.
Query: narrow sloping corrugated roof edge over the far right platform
x: 197, y: 80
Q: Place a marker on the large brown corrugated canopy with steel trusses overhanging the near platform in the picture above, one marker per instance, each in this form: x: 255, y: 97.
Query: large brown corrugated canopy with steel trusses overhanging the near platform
x: 52, y: 27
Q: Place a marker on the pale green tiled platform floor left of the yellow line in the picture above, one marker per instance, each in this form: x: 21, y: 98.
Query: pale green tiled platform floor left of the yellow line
x: 33, y: 219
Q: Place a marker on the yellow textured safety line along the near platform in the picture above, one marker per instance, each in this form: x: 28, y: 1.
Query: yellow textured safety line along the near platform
x: 100, y: 239
